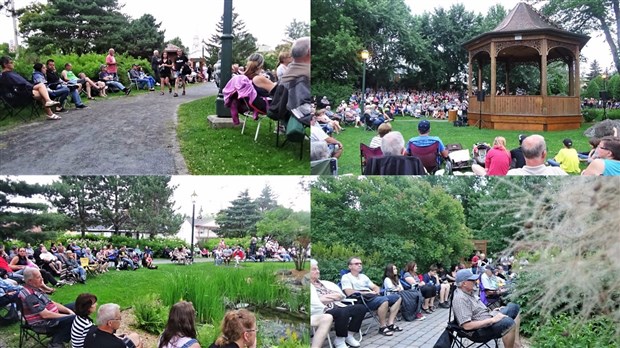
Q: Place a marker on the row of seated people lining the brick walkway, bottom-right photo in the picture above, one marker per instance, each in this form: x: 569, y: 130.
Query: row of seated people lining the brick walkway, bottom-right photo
x: 479, y: 299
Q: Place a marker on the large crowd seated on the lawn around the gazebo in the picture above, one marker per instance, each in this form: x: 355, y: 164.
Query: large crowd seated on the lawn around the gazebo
x: 424, y: 153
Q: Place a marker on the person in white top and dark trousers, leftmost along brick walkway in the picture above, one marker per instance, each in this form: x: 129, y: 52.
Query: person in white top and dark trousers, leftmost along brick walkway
x: 326, y: 306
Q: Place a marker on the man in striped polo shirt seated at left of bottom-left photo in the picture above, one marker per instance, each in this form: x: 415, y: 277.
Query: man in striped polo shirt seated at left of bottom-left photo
x: 40, y: 311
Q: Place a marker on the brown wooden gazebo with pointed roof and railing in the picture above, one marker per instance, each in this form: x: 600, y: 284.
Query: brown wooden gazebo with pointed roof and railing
x: 524, y: 37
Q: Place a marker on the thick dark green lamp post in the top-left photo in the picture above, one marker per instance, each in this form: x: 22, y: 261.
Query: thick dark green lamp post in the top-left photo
x: 226, y: 59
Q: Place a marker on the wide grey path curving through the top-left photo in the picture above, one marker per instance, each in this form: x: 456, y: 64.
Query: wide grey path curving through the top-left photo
x: 124, y: 135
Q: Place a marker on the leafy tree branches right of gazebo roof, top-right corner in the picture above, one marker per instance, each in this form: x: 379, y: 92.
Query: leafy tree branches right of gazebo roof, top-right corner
x: 588, y: 16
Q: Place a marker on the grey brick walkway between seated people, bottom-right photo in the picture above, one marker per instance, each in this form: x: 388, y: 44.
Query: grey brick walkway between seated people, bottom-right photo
x: 415, y: 334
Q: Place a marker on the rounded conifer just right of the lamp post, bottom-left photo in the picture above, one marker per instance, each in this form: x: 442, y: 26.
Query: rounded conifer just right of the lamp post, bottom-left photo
x: 239, y: 220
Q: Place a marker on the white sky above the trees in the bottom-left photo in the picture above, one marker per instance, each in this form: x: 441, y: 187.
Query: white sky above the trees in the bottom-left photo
x: 216, y: 192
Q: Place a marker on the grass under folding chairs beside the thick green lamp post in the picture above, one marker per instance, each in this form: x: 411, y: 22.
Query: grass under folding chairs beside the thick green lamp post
x: 226, y: 151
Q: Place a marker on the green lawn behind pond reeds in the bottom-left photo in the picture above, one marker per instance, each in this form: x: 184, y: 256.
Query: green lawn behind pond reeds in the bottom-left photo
x: 127, y: 288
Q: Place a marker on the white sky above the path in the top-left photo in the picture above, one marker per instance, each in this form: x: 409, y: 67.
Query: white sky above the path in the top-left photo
x: 266, y: 20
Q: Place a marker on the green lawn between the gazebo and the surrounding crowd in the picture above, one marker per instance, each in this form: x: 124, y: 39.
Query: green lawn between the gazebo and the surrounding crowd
x: 349, y: 162
